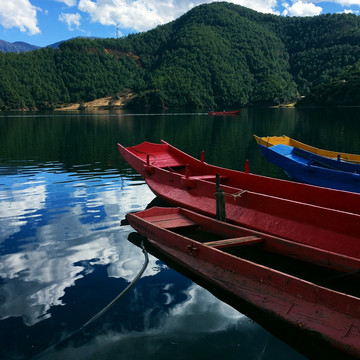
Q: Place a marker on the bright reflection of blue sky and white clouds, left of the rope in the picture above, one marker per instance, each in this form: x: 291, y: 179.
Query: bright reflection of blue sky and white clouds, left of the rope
x: 49, y: 259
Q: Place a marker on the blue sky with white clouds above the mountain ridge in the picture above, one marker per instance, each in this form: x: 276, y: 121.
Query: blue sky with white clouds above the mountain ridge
x: 44, y: 22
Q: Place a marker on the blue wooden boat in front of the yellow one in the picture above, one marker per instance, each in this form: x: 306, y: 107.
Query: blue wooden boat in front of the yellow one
x: 304, y: 166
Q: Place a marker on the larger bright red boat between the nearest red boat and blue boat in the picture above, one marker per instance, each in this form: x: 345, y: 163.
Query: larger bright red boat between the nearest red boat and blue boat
x: 323, y: 218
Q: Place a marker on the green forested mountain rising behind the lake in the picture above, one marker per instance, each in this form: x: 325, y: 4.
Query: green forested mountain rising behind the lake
x: 216, y: 55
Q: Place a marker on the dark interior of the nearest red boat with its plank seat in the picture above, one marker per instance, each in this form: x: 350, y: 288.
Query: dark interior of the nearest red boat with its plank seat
x: 267, y: 252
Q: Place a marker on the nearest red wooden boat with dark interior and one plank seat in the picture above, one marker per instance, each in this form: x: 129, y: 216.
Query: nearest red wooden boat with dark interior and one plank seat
x: 256, y: 268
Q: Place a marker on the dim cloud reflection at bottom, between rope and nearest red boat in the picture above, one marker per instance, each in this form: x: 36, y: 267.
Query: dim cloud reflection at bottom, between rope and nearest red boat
x: 200, y: 327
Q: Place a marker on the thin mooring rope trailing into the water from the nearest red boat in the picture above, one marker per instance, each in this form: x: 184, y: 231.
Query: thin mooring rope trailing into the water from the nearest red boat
x: 106, y: 308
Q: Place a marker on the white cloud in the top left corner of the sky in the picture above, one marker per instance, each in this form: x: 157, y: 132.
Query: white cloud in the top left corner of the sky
x: 19, y: 14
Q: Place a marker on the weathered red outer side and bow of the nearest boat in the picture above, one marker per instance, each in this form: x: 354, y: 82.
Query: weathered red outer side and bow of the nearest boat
x: 315, y: 309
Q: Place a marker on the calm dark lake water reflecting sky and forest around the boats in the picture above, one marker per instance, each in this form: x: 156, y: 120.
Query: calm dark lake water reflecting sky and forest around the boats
x: 63, y: 255
